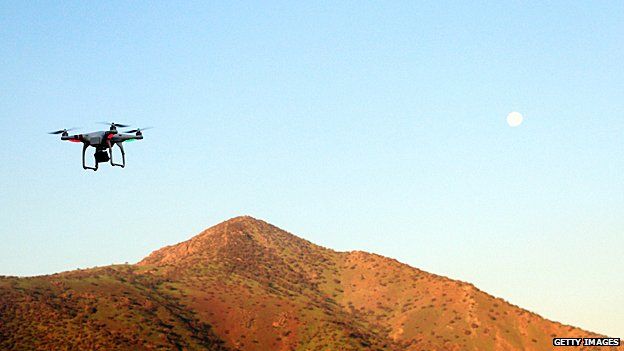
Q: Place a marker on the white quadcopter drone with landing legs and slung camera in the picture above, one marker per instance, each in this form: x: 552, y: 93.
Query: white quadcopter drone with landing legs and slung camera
x: 103, y: 142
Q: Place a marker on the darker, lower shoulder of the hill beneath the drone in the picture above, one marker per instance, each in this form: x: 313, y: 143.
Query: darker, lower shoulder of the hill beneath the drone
x: 112, y: 308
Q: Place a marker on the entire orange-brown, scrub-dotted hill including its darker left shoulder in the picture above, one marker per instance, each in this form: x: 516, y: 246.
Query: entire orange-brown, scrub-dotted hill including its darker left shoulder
x: 247, y: 285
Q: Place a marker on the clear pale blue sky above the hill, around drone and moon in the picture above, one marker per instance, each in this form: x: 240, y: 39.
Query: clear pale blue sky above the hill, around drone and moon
x: 377, y: 126
